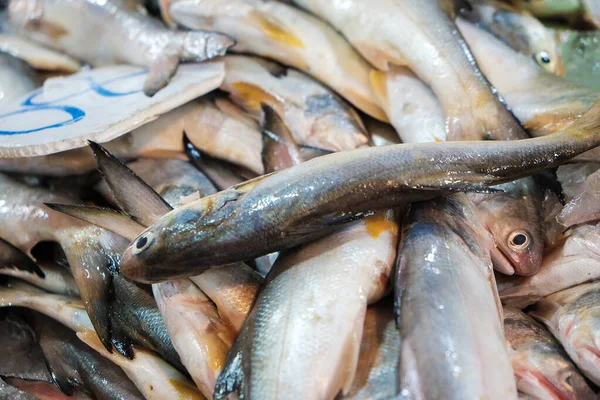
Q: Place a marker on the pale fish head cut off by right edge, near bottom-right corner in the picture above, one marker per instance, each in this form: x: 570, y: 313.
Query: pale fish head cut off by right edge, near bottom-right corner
x: 573, y: 317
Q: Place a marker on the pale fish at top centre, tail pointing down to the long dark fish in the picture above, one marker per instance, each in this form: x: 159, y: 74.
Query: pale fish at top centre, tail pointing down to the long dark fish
x: 421, y: 35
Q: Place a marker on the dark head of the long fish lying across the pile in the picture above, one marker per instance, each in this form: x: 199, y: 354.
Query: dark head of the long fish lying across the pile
x: 168, y: 247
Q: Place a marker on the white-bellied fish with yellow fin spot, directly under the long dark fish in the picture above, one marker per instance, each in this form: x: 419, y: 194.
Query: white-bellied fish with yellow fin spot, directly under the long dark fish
x: 299, y: 341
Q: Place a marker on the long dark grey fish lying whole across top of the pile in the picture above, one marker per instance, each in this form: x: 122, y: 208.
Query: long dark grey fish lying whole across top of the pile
x: 290, y: 207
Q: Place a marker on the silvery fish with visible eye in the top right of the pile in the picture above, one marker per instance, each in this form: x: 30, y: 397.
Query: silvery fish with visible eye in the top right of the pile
x: 519, y: 29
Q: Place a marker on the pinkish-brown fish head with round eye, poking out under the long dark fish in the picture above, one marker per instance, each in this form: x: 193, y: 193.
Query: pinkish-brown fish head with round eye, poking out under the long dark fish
x: 513, y: 216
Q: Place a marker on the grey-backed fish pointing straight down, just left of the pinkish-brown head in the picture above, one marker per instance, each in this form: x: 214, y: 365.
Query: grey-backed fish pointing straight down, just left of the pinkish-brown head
x: 445, y: 279
